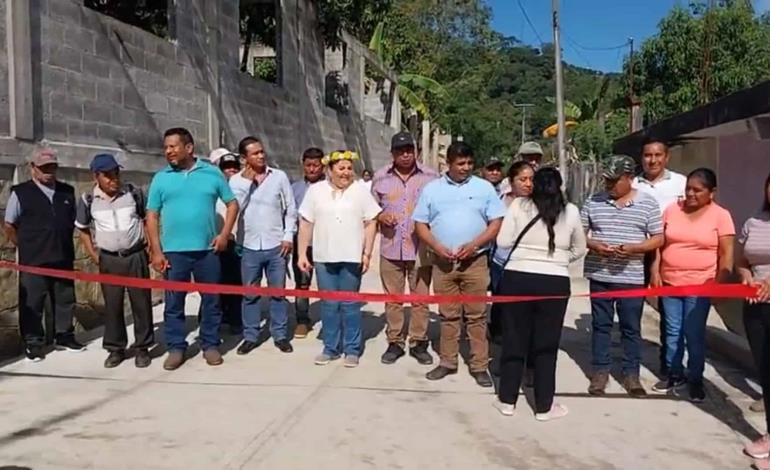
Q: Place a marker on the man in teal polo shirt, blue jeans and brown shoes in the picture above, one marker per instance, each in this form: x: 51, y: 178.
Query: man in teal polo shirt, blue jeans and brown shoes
x: 181, y: 227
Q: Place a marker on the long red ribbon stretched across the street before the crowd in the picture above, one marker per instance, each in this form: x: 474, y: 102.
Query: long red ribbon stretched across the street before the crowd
x: 712, y: 290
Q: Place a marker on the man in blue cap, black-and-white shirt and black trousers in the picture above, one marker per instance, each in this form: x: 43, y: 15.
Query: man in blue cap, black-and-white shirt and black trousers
x: 110, y: 219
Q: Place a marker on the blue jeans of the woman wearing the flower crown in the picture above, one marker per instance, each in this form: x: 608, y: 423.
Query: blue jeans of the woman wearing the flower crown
x: 341, y: 320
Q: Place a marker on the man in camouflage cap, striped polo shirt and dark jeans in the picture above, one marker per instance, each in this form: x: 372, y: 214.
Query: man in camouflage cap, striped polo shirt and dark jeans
x: 623, y: 224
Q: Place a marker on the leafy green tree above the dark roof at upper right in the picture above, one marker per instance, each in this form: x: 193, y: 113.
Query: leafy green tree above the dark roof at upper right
x: 700, y: 55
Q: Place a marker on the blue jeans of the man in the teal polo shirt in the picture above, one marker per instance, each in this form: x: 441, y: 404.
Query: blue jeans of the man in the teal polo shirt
x: 204, y: 267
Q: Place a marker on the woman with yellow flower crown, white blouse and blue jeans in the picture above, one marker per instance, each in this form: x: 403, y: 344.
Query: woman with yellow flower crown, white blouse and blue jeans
x: 340, y: 218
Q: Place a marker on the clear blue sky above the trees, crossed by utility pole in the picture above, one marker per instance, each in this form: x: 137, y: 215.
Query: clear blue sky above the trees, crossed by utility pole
x: 592, y: 30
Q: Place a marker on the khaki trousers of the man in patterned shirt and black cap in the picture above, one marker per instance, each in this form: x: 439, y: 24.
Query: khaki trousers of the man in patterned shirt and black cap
x: 395, y: 275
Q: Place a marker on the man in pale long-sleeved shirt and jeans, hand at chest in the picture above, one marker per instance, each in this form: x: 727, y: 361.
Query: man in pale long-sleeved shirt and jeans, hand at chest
x: 266, y: 227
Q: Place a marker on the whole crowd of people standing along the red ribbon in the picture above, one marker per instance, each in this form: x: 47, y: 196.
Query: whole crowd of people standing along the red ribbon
x: 234, y: 219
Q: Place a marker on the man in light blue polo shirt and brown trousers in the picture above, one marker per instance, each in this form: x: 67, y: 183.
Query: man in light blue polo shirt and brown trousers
x: 457, y: 216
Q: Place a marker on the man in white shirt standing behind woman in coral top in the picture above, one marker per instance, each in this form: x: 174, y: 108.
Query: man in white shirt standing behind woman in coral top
x: 667, y: 187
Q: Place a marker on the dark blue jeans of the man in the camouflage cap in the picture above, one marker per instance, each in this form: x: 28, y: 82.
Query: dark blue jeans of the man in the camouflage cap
x: 630, y: 318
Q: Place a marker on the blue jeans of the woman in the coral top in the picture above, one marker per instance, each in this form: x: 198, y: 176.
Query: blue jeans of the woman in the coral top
x: 686, y: 327
